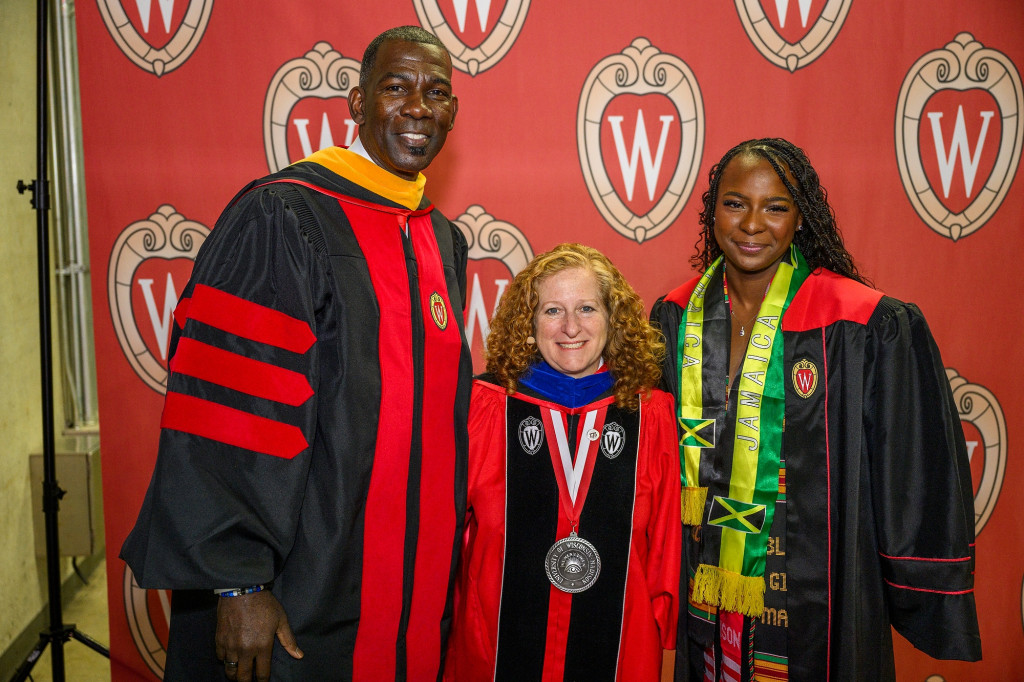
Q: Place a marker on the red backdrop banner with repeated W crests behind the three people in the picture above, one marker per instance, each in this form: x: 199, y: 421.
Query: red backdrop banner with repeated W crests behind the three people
x: 593, y: 122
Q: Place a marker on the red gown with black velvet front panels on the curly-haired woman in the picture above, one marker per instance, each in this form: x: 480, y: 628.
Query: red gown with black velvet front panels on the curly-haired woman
x: 511, y: 623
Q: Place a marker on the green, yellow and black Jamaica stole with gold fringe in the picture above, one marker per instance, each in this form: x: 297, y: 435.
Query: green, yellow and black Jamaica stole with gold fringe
x: 731, y: 447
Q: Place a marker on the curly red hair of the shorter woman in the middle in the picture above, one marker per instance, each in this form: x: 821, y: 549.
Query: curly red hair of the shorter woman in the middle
x: 633, y: 353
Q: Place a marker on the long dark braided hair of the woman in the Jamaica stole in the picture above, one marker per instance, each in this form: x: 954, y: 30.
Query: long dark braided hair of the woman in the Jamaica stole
x: 820, y: 241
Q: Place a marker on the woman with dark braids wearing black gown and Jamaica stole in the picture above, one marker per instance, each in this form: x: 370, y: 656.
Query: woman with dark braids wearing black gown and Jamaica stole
x: 826, y: 487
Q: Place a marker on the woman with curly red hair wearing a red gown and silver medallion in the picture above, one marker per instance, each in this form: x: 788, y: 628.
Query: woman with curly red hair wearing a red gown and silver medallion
x: 571, y: 557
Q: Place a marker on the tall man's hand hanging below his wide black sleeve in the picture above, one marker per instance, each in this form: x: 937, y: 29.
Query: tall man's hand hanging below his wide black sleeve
x: 246, y: 628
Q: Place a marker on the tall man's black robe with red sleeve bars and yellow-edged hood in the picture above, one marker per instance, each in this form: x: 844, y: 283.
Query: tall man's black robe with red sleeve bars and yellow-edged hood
x: 314, y: 431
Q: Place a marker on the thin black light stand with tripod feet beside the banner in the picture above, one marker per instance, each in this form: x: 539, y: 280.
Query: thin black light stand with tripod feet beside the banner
x: 59, y: 632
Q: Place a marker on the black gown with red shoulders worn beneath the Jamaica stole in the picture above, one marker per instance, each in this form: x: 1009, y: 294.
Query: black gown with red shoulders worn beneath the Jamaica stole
x: 874, y: 524
